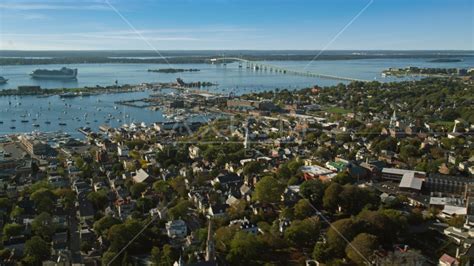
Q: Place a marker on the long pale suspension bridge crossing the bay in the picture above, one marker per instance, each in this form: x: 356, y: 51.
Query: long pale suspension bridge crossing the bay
x: 257, y: 66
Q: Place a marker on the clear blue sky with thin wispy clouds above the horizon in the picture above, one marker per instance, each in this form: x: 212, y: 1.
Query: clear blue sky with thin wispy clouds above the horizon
x: 236, y: 24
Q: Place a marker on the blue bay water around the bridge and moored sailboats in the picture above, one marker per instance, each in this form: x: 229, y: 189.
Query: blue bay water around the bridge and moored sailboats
x: 95, y: 110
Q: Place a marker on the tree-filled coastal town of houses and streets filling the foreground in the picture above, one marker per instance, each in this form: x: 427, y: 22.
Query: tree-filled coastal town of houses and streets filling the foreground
x: 358, y: 173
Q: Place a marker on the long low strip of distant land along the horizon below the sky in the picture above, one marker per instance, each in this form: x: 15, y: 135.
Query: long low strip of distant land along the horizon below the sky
x: 200, y: 57
